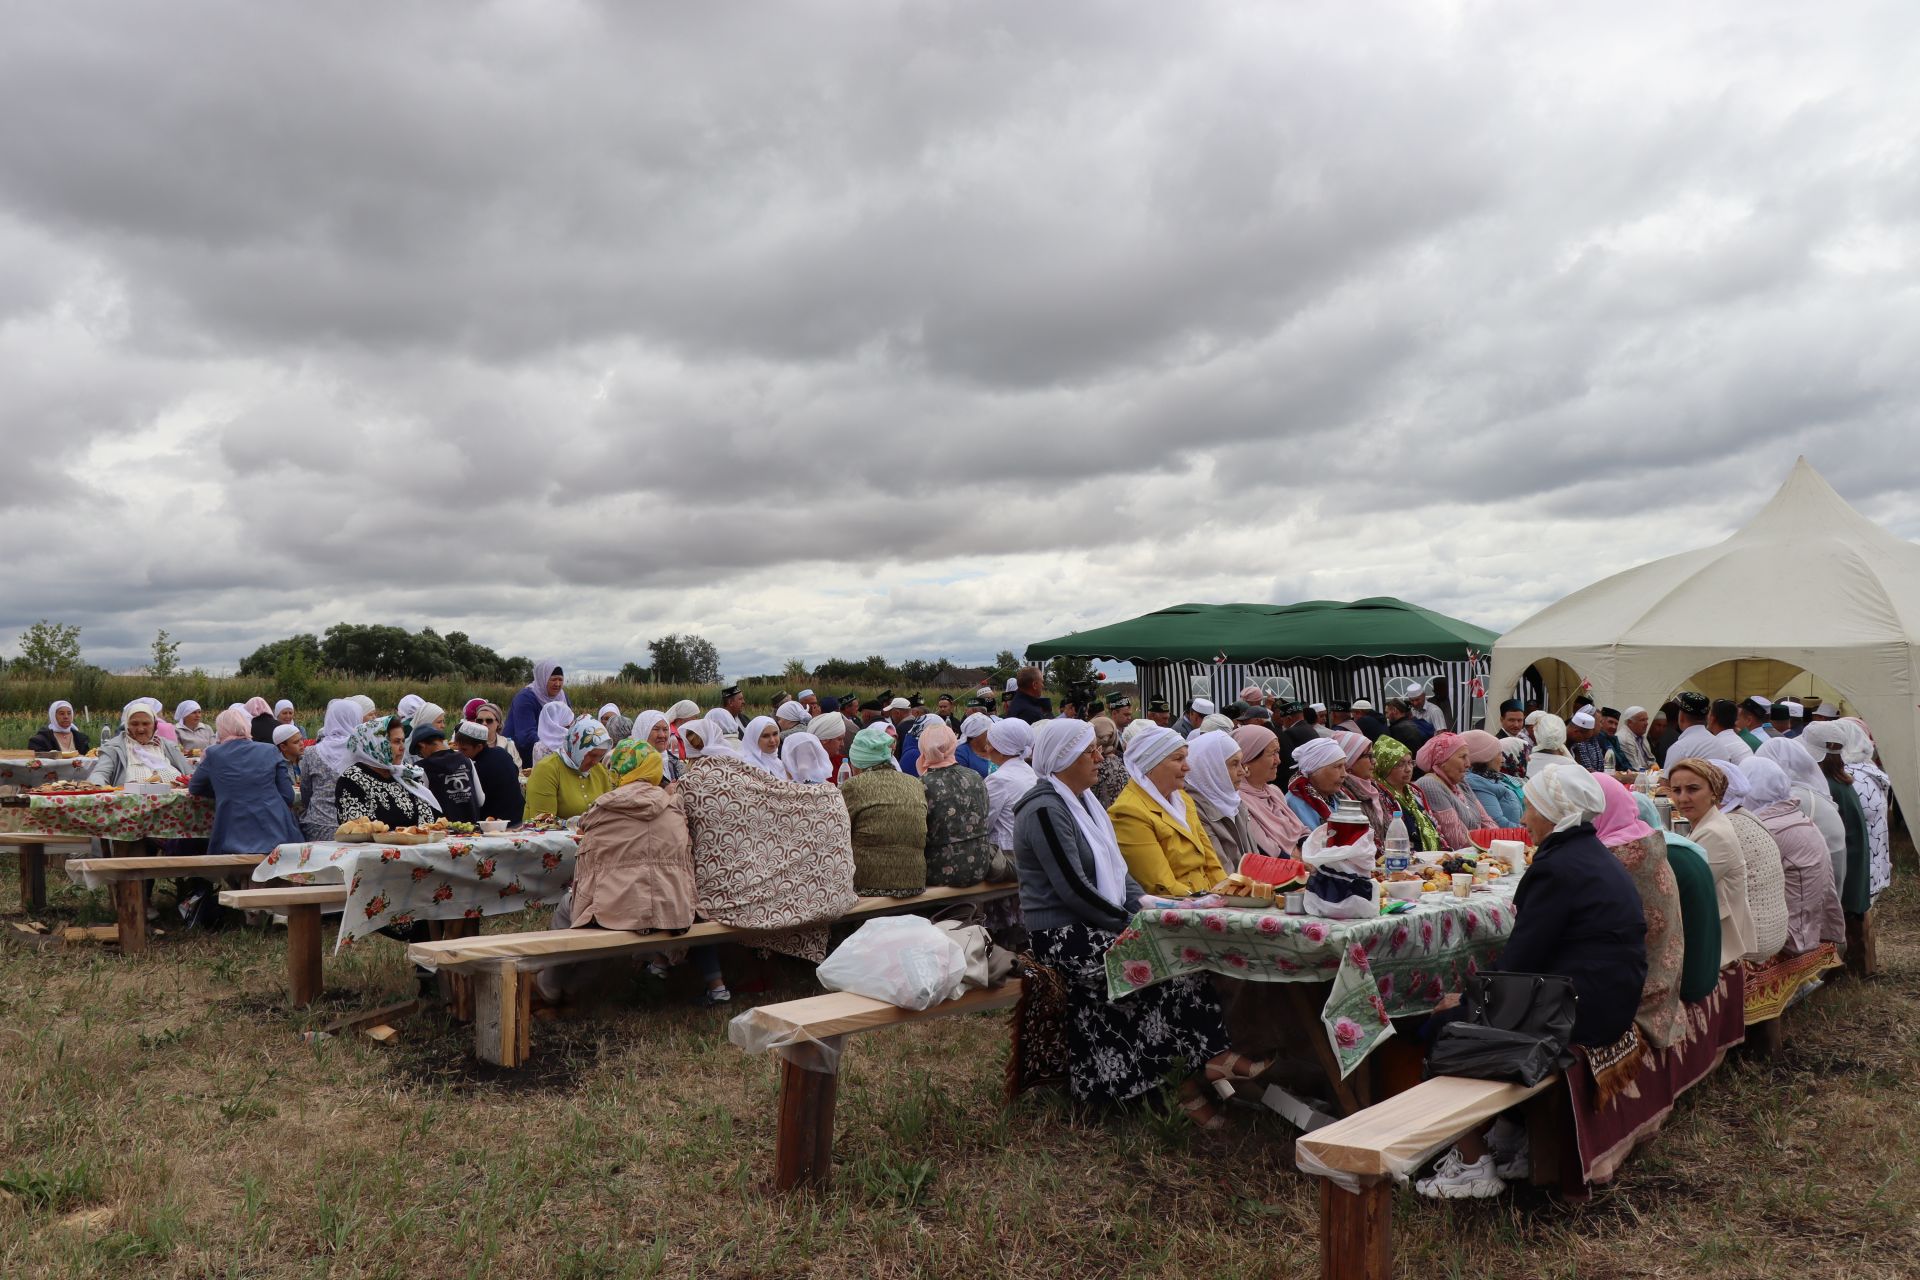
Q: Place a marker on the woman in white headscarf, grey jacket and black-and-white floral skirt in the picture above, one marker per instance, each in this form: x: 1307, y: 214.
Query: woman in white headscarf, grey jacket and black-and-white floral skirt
x: 1076, y: 897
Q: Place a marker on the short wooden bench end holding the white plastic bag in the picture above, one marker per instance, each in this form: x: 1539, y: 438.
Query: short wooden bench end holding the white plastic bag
x: 804, y: 1149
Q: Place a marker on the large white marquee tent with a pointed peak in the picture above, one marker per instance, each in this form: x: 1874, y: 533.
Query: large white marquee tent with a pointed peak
x: 1810, y: 584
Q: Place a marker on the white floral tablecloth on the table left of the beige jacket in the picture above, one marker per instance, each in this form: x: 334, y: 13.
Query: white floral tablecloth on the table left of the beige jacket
x: 464, y: 878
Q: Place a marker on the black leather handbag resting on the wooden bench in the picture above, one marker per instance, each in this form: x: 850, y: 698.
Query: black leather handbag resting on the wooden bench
x: 1510, y: 1028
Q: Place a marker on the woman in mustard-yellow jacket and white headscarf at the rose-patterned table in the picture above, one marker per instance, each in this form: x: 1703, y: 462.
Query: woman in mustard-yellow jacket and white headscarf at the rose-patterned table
x: 1159, y: 830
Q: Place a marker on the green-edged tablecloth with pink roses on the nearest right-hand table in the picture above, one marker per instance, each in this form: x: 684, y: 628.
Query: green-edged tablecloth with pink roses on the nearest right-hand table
x: 1381, y: 968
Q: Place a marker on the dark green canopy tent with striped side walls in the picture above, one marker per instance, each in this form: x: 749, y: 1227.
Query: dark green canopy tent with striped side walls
x: 1355, y: 650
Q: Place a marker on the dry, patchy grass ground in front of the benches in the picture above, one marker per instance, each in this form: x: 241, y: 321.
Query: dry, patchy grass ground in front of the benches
x: 162, y: 1118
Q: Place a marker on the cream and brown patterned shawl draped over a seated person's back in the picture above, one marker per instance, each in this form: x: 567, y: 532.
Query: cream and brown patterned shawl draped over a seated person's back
x: 769, y: 855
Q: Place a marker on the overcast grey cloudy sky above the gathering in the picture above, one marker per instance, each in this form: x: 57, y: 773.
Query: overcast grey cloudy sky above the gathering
x: 926, y: 329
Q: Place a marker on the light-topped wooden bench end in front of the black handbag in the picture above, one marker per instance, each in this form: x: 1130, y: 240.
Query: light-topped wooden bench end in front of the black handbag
x: 1395, y: 1137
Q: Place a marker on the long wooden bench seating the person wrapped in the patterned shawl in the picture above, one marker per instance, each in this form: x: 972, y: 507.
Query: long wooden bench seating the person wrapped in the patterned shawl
x: 504, y: 997
